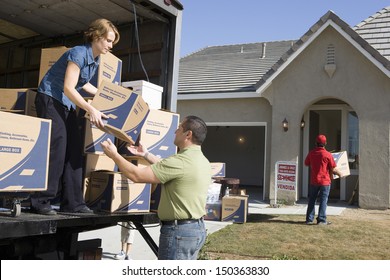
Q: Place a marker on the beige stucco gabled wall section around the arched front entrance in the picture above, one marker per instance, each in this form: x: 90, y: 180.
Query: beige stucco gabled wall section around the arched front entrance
x: 357, y: 82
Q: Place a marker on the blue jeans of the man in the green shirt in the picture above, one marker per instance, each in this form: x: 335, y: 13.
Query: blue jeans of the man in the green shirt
x: 181, y: 242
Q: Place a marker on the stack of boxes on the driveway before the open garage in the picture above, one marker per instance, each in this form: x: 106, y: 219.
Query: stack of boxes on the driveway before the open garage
x: 224, y: 203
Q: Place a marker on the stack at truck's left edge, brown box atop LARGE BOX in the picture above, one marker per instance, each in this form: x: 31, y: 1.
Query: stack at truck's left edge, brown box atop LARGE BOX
x: 24, y: 142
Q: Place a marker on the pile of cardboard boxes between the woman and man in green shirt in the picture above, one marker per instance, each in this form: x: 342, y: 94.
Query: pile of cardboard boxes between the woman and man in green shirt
x: 131, y: 120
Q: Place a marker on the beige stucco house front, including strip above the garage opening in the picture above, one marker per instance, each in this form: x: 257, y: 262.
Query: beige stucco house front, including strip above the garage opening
x: 357, y: 81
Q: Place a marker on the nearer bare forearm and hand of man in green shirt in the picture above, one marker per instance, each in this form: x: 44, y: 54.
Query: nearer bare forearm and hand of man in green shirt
x: 131, y: 171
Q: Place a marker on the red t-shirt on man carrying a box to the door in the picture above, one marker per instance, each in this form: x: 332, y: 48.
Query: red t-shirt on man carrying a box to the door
x: 320, y: 162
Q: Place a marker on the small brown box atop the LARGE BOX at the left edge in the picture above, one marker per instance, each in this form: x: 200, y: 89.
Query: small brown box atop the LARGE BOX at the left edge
x: 13, y: 99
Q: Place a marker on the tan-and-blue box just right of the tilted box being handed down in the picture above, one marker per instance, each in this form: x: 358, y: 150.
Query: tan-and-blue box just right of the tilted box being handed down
x: 157, y: 134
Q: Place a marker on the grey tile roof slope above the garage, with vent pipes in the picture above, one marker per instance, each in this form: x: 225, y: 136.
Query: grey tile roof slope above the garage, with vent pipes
x: 230, y: 68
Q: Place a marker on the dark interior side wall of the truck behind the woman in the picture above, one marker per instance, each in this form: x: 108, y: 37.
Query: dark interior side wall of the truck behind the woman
x: 19, y: 61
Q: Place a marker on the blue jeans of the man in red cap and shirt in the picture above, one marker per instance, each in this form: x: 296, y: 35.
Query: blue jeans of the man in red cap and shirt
x: 322, y: 192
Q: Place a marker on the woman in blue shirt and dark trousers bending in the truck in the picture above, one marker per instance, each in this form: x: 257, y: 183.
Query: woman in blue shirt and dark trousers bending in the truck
x: 57, y: 98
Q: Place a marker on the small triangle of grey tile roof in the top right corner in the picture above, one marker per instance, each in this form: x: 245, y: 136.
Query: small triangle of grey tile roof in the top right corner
x: 376, y: 31
